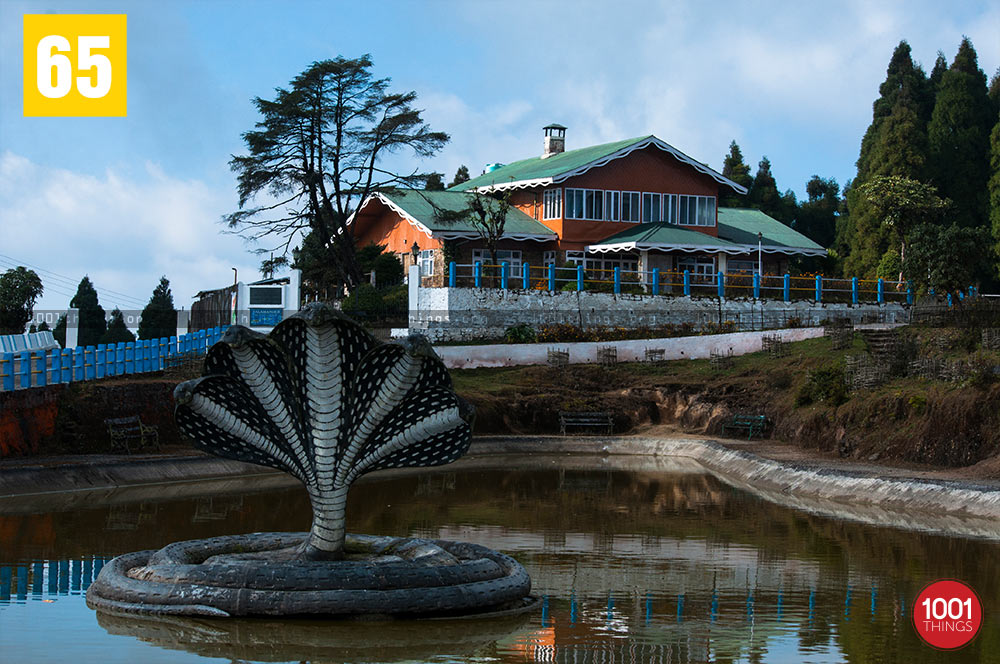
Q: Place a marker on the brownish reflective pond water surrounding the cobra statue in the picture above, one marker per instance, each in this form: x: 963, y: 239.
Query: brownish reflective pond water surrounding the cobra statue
x: 637, y: 560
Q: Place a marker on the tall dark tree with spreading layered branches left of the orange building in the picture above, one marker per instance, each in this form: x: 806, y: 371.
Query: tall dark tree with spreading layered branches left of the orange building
x: 319, y: 150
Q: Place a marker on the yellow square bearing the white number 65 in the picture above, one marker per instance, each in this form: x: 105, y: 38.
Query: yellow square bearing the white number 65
x: 75, y: 65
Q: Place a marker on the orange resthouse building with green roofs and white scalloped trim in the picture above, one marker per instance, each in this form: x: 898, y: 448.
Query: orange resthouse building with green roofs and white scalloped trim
x: 637, y: 204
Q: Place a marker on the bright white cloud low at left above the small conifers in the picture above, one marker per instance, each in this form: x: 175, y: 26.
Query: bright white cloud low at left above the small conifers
x: 124, y: 230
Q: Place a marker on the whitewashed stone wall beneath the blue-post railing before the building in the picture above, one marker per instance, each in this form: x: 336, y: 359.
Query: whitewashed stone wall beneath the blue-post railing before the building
x: 454, y: 314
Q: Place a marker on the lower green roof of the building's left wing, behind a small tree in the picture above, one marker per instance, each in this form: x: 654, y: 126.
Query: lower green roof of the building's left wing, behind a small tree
x: 422, y: 205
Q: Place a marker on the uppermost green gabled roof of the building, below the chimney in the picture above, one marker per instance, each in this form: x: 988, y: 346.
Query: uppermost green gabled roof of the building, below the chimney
x: 573, y: 162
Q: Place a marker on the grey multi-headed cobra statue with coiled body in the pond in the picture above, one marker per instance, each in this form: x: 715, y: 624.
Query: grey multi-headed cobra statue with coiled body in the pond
x: 322, y: 399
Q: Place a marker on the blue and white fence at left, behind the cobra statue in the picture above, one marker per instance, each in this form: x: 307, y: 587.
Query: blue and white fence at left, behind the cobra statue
x: 66, y: 365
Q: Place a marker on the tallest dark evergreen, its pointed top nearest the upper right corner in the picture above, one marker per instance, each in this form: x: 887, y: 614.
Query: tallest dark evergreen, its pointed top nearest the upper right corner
x: 958, y: 135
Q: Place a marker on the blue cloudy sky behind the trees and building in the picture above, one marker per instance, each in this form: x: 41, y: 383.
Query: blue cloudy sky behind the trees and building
x: 126, y: 200
